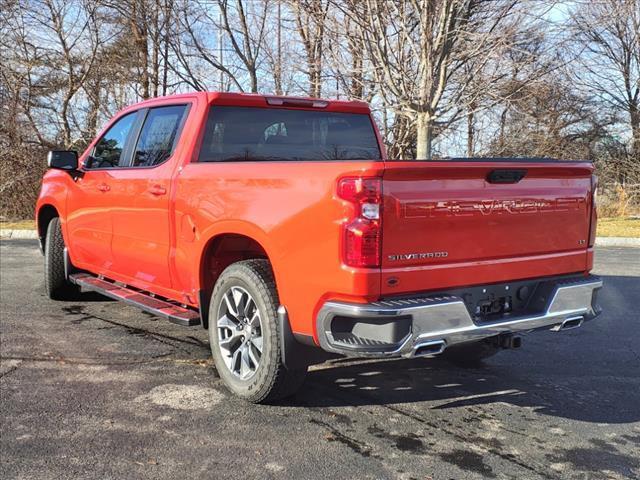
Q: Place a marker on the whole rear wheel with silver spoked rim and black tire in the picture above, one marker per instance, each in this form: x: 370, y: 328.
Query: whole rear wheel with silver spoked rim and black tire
x: 244, y: 334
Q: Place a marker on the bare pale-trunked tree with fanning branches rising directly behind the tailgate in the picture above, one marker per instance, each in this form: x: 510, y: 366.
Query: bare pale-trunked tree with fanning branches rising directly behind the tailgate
x: 419, y: 46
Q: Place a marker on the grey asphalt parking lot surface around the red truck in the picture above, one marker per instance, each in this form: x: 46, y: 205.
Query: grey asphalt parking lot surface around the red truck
x: 97, y: 389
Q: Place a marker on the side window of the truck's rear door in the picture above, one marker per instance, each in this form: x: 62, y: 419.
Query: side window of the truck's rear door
x: 158, y: 136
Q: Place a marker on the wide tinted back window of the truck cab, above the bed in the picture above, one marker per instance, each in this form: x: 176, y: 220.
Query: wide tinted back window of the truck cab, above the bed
x: 253, y: 134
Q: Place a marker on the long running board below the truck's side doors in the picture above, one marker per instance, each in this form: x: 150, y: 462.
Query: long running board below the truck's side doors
x: 171, y: 311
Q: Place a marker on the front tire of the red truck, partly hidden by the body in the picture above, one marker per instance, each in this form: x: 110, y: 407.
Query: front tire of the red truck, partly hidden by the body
x: 55, y: 282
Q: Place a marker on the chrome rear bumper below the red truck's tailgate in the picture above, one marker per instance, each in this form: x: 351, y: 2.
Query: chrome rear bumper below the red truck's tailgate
x: 437, y: 322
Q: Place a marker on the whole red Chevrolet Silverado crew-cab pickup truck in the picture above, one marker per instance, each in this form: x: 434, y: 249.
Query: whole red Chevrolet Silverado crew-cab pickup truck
x: 280, y: 226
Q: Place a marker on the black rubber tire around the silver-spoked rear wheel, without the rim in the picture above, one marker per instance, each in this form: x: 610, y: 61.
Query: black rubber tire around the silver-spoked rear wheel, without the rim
x: 271, y: 380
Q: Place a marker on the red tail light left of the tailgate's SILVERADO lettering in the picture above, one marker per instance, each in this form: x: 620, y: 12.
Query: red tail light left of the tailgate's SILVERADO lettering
x: 362, y: 232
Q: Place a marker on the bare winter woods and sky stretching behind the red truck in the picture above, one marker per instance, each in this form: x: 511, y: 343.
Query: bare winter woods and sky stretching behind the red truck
x: 444, y: 77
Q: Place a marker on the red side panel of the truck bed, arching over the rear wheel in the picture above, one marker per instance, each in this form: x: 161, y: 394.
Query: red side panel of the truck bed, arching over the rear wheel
x: 291, y: 209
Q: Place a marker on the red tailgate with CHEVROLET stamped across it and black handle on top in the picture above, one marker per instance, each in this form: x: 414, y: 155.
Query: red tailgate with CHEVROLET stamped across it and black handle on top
x: 455, y: 223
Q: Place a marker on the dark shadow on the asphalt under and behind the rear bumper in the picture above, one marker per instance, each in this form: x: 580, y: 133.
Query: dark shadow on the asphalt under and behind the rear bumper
x: 590, y: 374
